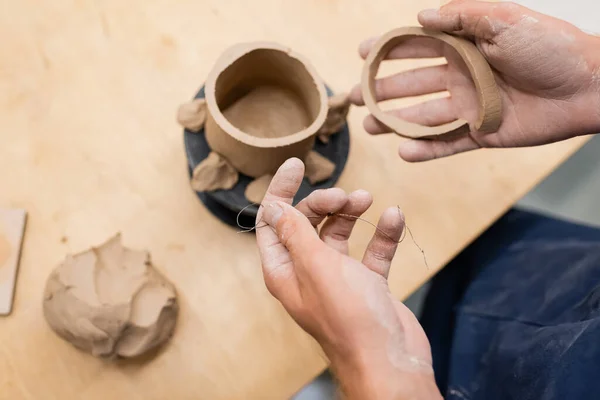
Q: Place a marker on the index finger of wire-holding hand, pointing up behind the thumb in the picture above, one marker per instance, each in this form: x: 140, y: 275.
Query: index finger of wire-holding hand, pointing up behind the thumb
x: 276, y: 262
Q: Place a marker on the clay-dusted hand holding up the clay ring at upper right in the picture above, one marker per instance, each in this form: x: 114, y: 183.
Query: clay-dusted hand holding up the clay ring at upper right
x: 547, y: 70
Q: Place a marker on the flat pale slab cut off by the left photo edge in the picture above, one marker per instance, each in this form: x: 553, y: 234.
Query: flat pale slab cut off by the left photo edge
x: 12, y: 228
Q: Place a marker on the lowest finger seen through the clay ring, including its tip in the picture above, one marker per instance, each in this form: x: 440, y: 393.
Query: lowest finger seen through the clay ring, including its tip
x: 430, y: 113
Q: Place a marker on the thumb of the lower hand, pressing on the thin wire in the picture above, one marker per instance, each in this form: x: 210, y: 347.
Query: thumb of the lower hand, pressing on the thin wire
x: 293, y: 229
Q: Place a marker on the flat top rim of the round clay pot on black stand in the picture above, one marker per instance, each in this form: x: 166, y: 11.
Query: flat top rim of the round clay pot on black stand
x: 233, y: 54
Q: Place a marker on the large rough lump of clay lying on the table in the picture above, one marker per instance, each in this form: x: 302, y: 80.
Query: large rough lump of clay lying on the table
x: 111, y: 302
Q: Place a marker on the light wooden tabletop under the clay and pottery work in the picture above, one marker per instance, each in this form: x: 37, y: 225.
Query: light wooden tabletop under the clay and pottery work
x: 89, y: 146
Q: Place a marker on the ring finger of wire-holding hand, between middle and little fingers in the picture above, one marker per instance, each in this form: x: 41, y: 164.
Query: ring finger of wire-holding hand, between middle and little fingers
x: 337, y: 229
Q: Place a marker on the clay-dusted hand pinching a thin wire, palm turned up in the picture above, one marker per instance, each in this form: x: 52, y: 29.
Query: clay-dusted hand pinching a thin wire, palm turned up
x: 375, y: 344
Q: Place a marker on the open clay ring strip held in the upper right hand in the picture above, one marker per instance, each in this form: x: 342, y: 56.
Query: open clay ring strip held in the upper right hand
x: 490, y: 102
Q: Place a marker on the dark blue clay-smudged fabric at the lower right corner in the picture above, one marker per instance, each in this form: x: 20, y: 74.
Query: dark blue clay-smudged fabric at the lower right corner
x: 517, y: 314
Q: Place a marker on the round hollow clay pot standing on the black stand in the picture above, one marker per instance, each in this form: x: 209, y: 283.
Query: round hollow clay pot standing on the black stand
x: 265, y: 104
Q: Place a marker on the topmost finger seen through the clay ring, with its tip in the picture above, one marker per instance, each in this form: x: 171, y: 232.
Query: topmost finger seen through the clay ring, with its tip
x: 418, y: 47
